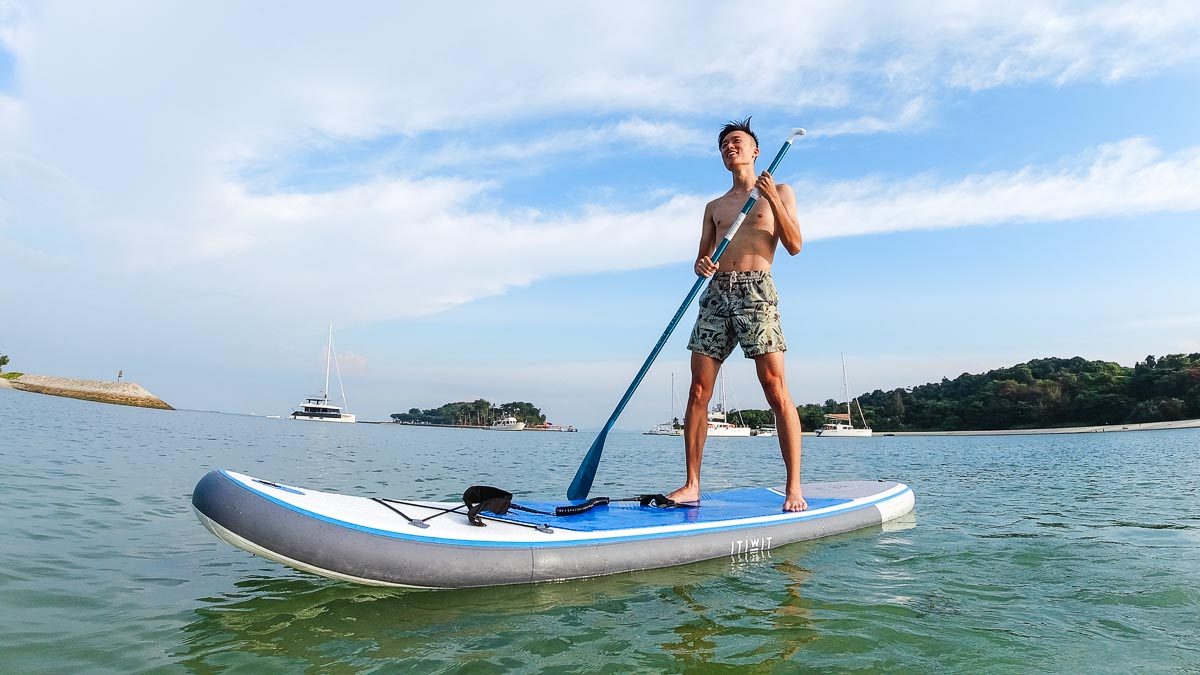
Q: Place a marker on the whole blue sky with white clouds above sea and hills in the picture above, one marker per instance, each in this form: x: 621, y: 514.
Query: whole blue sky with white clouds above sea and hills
x: 503, y: 201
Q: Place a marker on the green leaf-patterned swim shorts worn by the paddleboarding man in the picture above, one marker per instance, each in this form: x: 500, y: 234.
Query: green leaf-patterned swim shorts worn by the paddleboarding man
x: 739, y: 308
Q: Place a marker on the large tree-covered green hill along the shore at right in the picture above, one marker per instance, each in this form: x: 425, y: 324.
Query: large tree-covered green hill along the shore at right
x: 1041, y: 395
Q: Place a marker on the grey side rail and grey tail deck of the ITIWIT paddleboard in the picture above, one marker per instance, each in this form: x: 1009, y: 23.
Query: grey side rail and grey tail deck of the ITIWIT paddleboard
x: 379, y: 559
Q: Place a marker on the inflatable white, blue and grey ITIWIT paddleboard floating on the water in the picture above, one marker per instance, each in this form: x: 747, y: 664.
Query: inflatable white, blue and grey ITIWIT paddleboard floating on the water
x: 387, y: 542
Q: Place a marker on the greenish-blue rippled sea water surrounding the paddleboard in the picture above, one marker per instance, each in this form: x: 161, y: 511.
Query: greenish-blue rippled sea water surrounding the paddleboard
x: 1025, y: 554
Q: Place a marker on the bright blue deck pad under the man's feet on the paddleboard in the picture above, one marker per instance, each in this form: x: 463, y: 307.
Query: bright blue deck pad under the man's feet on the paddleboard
x: 717, y: 507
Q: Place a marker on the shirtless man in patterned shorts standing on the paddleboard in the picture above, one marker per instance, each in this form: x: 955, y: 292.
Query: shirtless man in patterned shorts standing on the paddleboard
x: 740, y: 306
